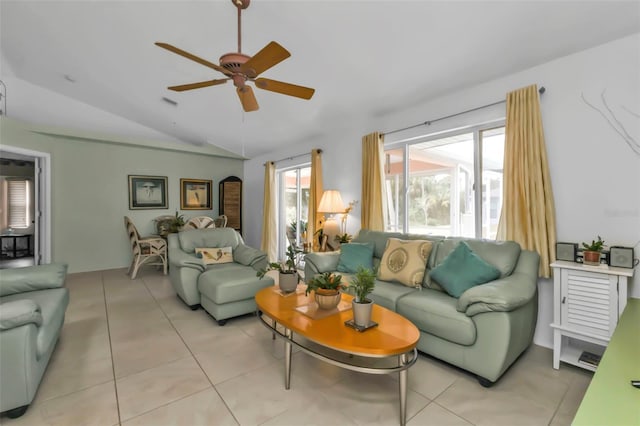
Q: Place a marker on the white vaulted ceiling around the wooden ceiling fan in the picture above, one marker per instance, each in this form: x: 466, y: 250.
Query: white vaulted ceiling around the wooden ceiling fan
x: 364, y: 58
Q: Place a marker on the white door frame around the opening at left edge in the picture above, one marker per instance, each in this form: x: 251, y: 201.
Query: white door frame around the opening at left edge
x: 42, y: 188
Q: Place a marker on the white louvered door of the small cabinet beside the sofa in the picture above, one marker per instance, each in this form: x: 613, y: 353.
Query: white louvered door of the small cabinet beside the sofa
x: 589, y: 302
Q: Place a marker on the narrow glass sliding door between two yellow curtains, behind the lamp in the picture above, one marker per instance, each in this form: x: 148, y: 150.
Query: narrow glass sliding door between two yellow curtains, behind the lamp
x: 293, y: 206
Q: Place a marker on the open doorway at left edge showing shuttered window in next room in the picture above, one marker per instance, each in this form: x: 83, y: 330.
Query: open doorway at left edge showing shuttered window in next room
x: 26, y: 231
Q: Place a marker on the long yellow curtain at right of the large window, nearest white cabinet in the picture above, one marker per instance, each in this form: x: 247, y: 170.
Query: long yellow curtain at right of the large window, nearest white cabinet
x: 528, y: 211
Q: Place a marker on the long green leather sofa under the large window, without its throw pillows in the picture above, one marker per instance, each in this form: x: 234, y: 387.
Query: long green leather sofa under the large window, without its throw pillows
x: 486, y: 328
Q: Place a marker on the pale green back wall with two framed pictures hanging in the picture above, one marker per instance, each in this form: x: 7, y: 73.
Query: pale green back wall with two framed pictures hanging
x: 89, y: 189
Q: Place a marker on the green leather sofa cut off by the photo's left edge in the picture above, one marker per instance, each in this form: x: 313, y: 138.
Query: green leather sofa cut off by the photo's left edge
x: 33, y: 302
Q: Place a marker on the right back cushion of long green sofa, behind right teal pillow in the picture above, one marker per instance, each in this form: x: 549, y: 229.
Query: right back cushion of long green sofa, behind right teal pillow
x: 501, y: 254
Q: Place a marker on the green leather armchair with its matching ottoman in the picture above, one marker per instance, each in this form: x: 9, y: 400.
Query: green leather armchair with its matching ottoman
x: 224, y: 290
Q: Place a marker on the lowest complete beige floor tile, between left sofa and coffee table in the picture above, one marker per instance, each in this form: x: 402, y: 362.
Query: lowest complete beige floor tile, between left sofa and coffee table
x: 155, y: 387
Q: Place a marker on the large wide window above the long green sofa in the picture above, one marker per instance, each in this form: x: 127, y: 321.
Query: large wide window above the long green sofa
x: 430, y: 183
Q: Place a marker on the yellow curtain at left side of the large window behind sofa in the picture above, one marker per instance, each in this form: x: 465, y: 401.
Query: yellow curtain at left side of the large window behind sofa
x: 372, y: 212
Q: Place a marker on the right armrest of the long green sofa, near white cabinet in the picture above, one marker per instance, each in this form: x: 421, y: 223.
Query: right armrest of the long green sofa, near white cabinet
x: 504, y: 294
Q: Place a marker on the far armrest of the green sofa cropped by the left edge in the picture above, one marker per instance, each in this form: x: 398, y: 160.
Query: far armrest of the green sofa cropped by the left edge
x: 30, y: 278
